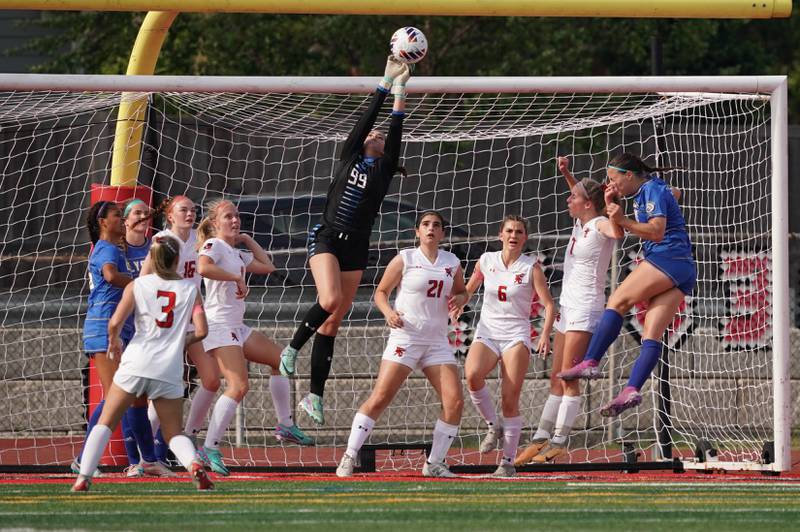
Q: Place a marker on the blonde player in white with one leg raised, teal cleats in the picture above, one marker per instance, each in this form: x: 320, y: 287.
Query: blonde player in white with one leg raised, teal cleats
x: 229, y: 340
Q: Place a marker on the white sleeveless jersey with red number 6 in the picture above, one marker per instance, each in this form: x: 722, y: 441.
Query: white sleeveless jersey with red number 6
x: 507, y: 295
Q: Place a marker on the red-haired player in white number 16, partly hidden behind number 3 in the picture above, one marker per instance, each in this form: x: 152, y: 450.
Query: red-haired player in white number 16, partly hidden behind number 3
x: 180, y: 215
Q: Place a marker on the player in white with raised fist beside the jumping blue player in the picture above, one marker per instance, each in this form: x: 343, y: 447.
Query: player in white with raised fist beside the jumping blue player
x: 582, y: 301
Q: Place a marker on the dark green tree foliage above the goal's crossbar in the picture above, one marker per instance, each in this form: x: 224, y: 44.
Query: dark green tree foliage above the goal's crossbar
x: 253, y: 44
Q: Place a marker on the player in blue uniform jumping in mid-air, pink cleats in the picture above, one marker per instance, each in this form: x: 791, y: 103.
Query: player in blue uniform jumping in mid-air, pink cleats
x: 667, y: 274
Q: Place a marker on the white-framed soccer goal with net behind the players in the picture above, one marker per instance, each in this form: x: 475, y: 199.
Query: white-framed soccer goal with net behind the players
x: 475, y: 149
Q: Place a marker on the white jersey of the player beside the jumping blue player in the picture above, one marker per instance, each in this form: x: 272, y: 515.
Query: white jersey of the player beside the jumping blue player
x: 586, y: 263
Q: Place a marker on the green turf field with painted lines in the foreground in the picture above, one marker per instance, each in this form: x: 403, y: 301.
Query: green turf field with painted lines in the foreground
x: 416, y: 506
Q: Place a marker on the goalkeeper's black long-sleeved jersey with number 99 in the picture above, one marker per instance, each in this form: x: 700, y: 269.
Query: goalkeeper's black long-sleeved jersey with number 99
x: 358, y: 188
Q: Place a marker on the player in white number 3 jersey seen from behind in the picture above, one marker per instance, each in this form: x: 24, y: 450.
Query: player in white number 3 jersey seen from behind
x: 152, y: 363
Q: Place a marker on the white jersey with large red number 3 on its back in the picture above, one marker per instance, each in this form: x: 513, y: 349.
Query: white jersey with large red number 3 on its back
x: 163, y: 310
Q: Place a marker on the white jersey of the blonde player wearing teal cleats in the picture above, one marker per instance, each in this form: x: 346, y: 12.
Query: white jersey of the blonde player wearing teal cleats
x: 222, y: 306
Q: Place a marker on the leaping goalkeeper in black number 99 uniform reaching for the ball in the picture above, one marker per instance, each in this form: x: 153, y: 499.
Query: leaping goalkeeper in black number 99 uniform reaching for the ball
x: 338, y: 247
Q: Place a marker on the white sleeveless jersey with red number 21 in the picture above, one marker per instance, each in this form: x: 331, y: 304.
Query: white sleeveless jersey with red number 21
x: 422, y: 297
